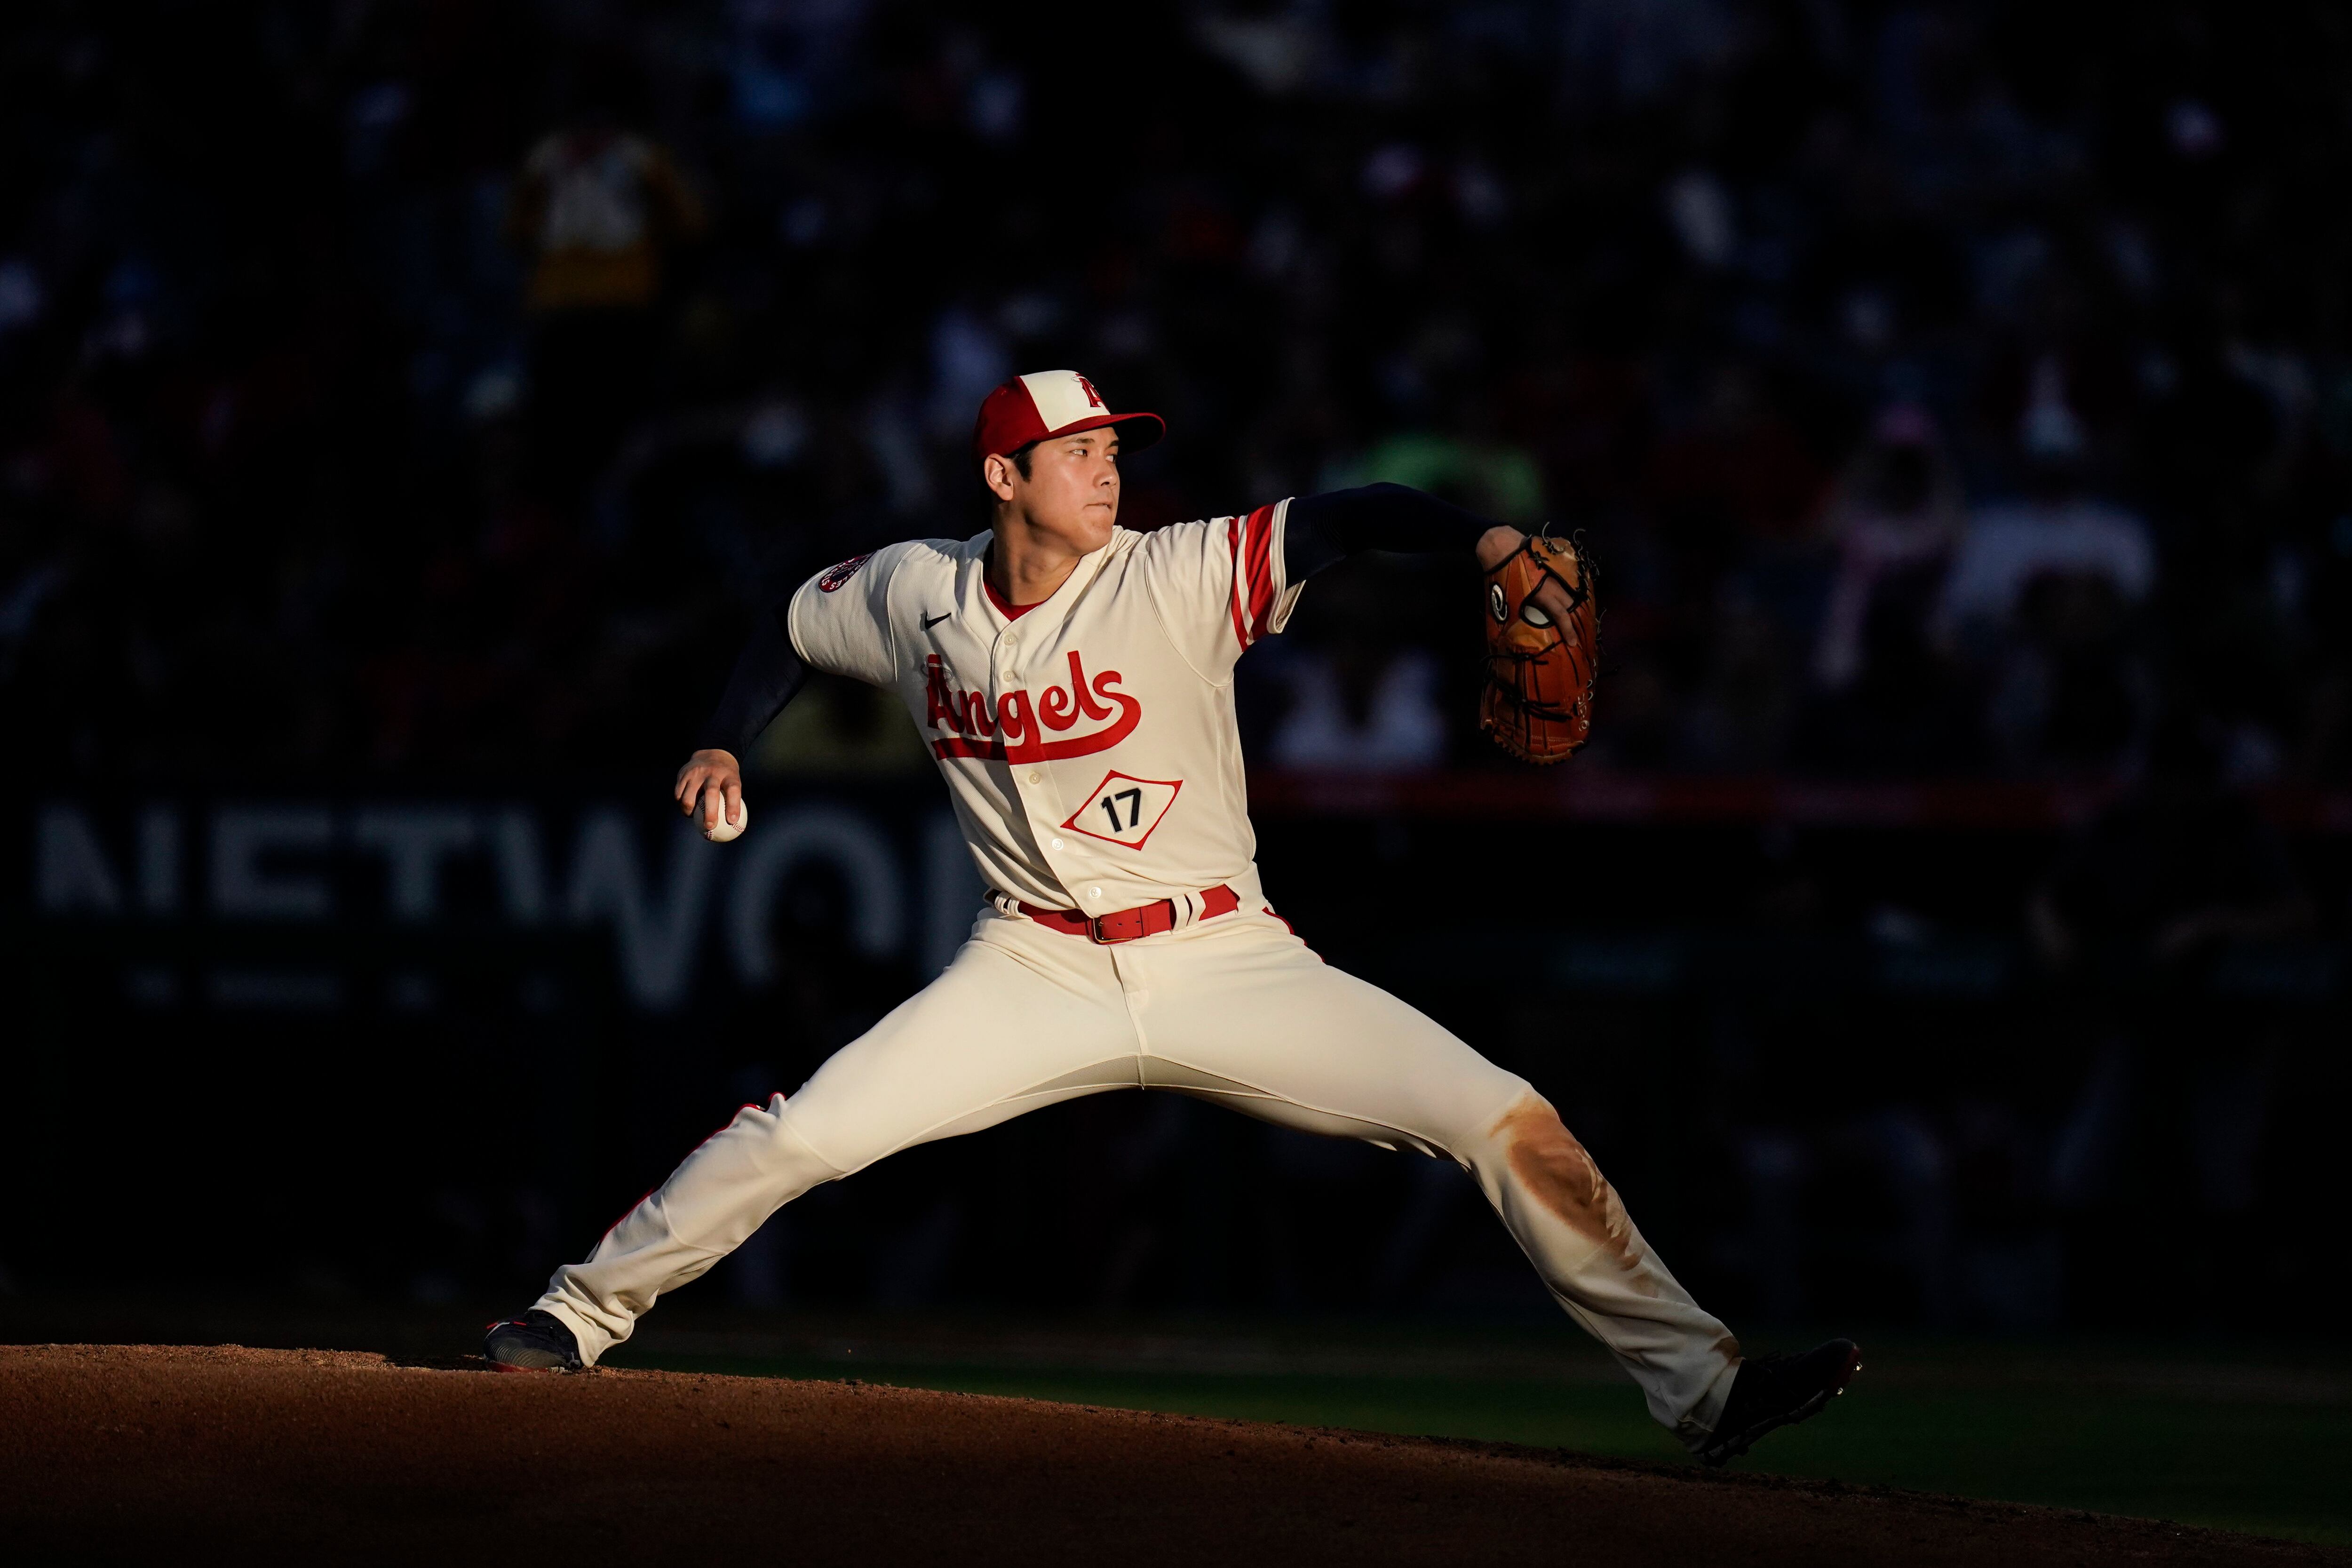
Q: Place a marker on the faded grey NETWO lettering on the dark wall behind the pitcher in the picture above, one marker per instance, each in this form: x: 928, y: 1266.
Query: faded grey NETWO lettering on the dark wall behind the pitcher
x: 443, y: 866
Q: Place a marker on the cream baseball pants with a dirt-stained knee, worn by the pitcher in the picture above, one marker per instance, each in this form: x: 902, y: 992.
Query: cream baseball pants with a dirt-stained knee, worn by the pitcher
x: 1231, y: 1010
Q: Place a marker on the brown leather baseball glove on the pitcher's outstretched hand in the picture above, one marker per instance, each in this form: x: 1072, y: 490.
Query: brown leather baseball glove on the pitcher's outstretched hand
x: 1539, y: 662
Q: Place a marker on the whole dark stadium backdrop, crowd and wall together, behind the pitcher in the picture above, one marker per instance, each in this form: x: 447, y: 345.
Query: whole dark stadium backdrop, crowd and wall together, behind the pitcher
x: 366, y: 572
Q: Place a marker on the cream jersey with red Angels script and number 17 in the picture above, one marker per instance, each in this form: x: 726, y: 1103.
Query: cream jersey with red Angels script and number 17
x: 1090, y: 744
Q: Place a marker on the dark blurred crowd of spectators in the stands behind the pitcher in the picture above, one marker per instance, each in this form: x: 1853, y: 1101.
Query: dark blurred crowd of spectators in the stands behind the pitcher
x: 1942, y: 389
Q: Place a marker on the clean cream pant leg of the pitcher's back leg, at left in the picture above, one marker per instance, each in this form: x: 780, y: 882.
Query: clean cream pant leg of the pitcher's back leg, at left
x: 1022, y: 1019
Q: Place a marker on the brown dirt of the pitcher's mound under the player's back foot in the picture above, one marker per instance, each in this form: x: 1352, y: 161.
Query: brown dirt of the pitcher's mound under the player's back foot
x: 161, y: 1454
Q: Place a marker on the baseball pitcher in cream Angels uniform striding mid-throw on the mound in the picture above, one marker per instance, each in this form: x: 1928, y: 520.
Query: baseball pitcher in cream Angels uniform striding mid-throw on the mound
x: 1074, y: 683
